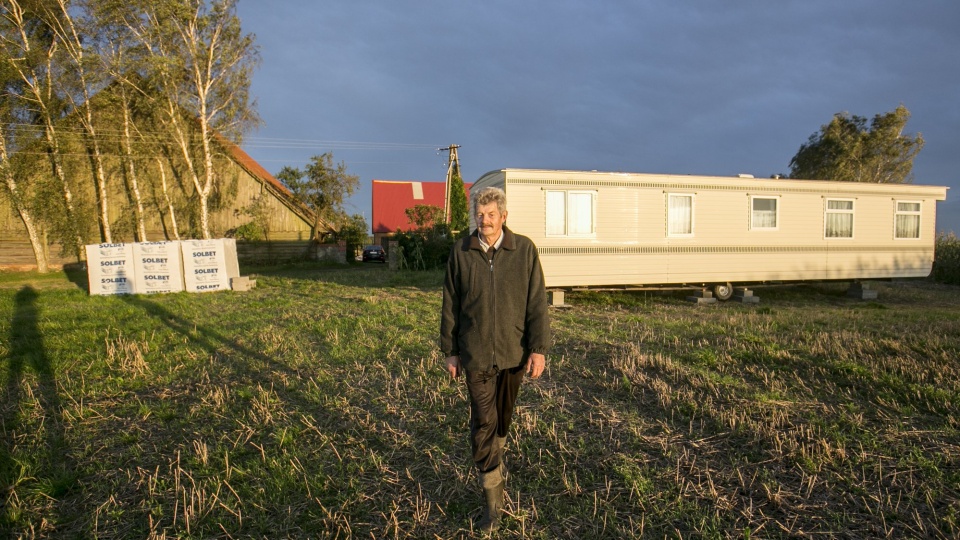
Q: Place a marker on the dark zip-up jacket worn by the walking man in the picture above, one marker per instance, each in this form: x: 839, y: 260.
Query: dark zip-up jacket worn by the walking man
x: 494, y: 314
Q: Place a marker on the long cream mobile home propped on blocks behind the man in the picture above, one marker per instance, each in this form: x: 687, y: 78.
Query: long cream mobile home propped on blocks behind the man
x: 602, y: 229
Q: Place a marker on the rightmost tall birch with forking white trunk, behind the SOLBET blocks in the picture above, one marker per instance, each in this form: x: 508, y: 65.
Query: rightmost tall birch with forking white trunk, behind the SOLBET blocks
x: 201, y: 62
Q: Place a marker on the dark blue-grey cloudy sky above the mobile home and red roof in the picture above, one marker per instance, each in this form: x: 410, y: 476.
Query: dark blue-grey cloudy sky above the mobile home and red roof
x: 693, y: 87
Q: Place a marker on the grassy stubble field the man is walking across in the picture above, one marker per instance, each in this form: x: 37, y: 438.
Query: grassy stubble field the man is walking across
x: 315, y: 406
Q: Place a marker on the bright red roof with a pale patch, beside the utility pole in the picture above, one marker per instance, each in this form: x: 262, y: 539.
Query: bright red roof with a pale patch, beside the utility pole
x: 392, y: 197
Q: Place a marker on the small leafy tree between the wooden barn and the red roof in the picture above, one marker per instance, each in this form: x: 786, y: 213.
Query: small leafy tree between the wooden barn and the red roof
x: 321, y: 186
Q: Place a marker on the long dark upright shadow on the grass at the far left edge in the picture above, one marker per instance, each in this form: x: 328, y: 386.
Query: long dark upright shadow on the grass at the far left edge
x: 54, y: 473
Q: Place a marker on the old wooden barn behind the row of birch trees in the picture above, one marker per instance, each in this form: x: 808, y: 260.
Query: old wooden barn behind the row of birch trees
x: 242, y: 182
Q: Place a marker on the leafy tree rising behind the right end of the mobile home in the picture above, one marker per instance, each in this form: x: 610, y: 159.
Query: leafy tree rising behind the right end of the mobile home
x: 848, y: 149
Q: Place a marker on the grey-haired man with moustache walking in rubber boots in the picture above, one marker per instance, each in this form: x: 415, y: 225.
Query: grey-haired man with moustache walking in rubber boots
x: 494, y: 327
